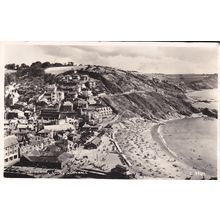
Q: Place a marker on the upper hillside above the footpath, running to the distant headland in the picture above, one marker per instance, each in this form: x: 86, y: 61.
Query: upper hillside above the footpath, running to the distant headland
x: 116, y: 81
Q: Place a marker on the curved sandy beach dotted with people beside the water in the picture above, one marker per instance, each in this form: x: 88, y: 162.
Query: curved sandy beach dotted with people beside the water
x: 140, y: 140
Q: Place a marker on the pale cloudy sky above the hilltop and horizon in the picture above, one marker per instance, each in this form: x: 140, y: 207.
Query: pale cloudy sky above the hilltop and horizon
x: 172, y: 58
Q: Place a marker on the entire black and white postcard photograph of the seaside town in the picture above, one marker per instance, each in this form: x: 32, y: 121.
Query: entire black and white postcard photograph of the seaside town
x: 111, y: 110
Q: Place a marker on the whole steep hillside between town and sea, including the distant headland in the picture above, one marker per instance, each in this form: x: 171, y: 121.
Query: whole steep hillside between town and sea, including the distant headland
x: 152, y: 96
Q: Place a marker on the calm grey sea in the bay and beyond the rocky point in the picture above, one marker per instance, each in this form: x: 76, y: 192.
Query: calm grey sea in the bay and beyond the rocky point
x: 194, y: 140
